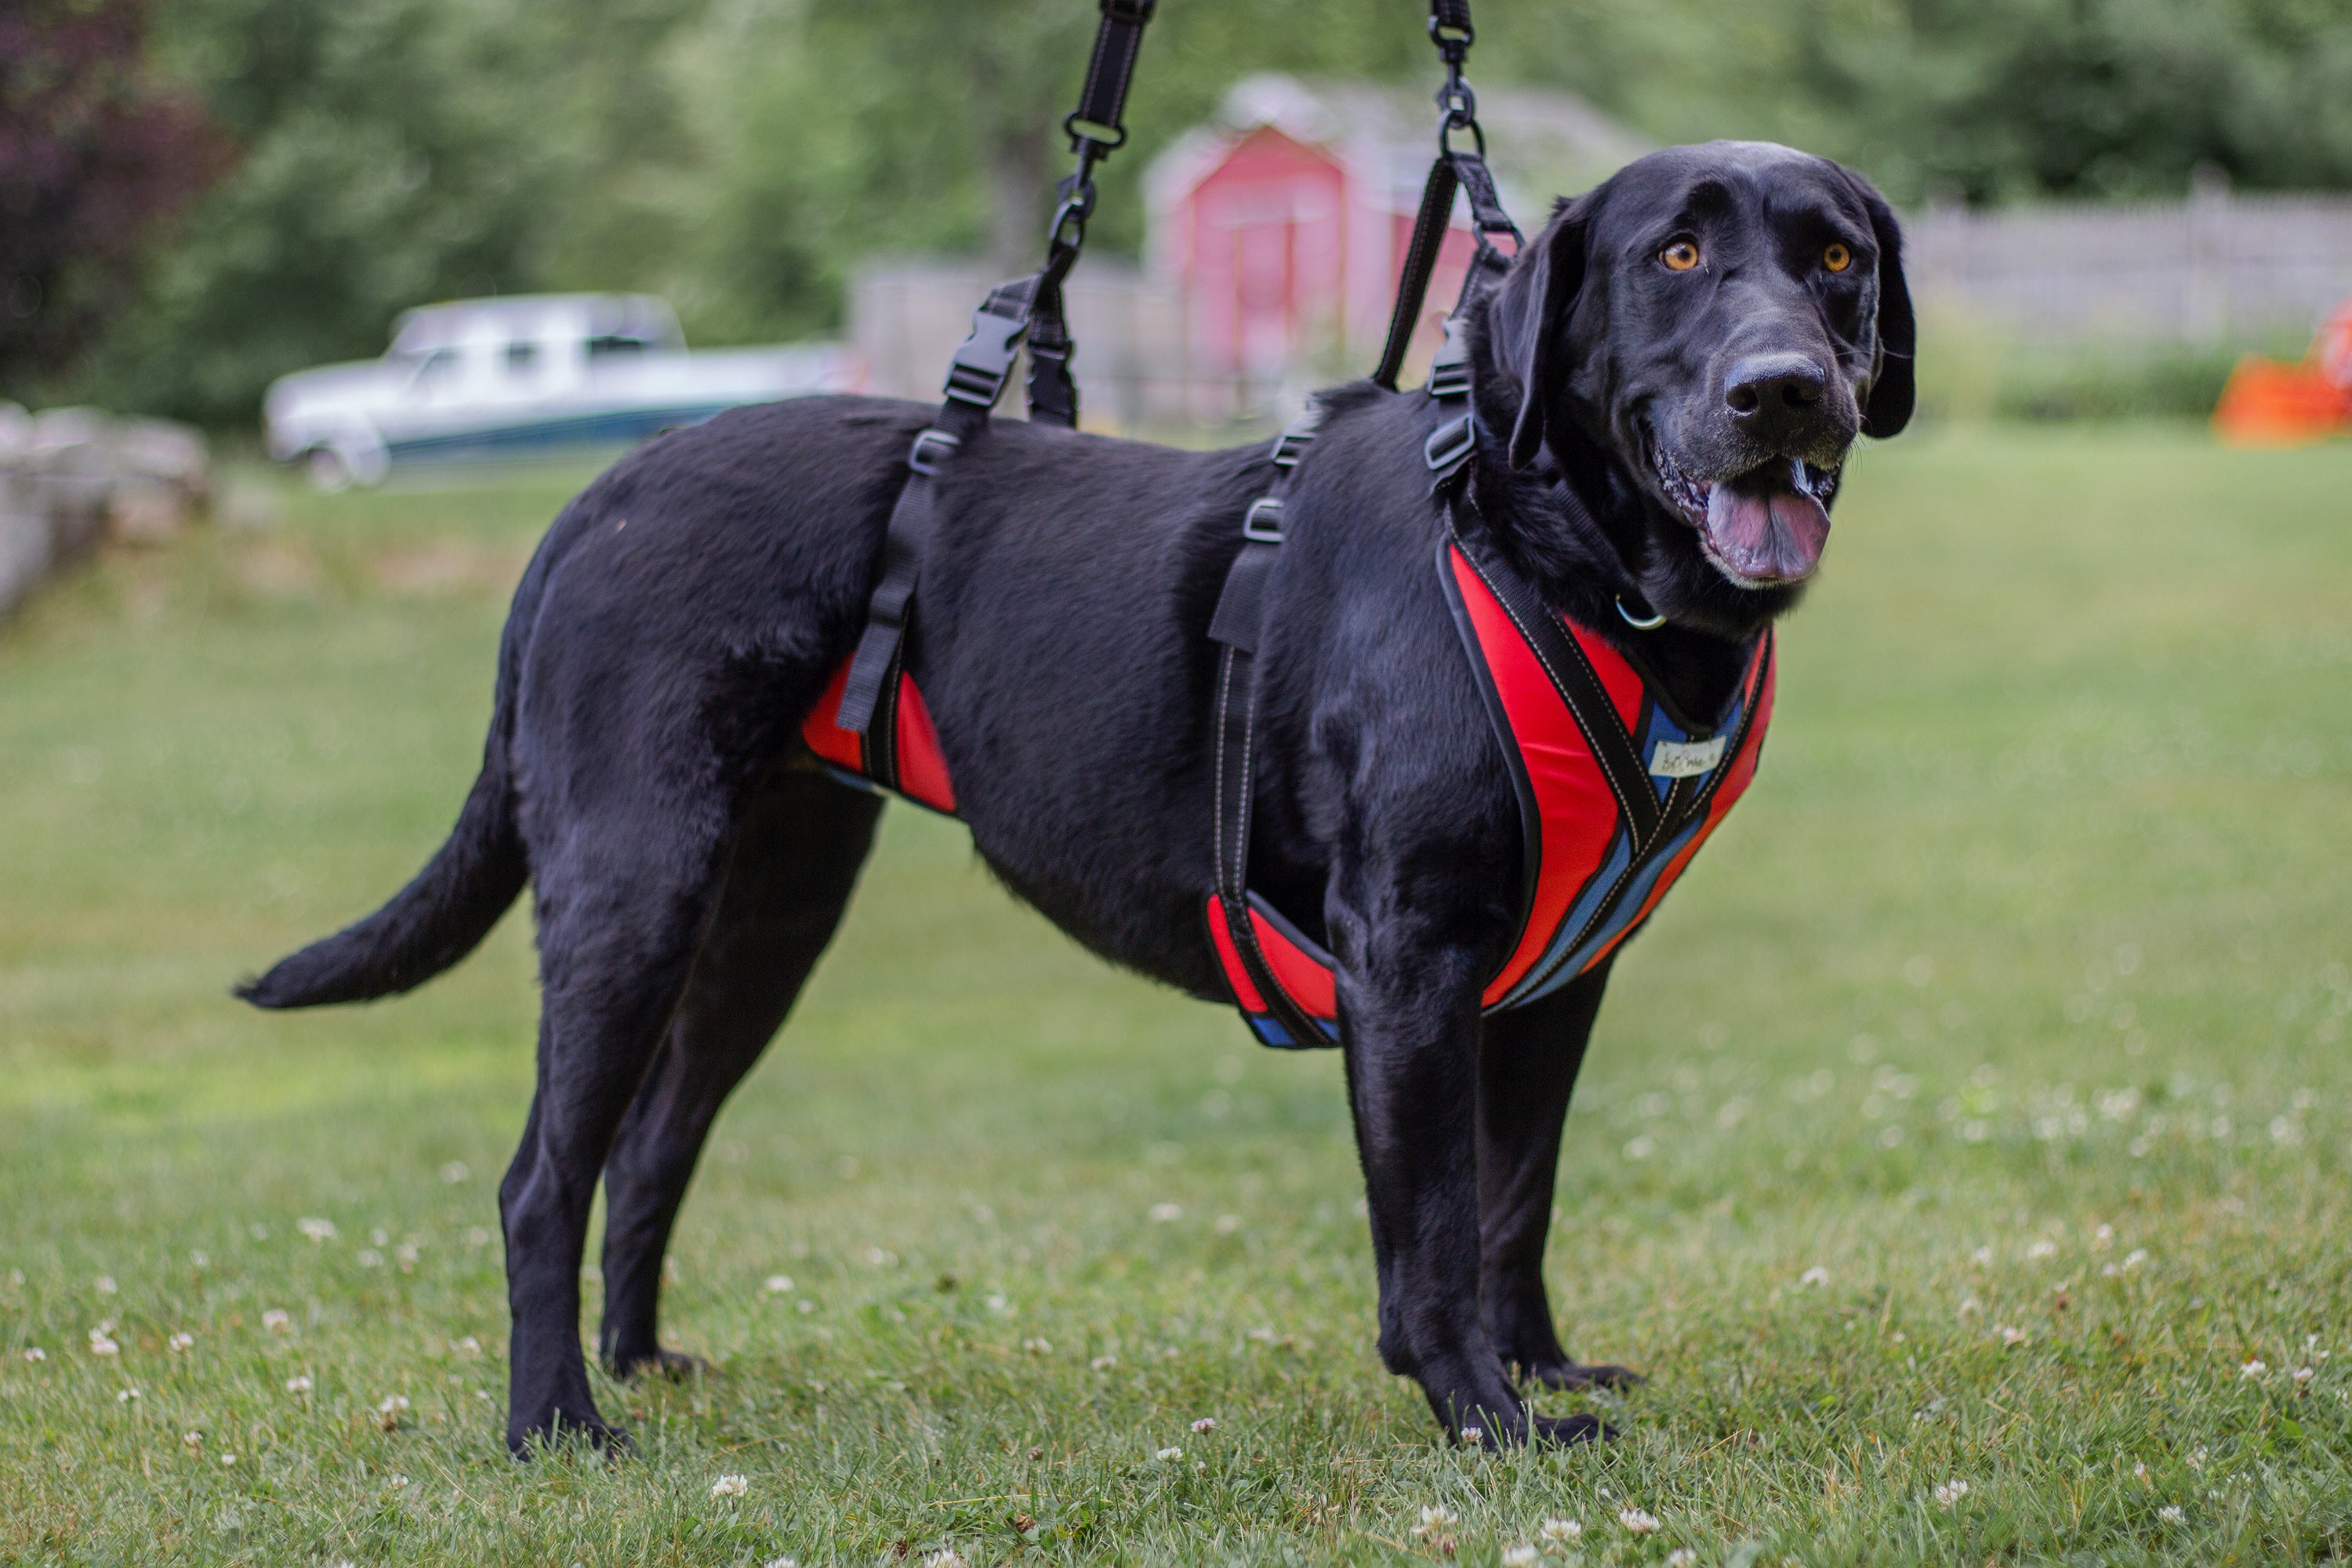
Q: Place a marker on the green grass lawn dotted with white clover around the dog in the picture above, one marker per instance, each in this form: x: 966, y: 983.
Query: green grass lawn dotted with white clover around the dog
x: 1975, y: 1115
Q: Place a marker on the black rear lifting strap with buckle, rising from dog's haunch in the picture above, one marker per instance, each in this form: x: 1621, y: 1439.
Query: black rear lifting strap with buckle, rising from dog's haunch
x: 1015, y: 314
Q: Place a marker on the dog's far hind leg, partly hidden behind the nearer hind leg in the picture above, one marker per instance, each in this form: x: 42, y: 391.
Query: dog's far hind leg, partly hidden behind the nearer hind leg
x: 789, y: 878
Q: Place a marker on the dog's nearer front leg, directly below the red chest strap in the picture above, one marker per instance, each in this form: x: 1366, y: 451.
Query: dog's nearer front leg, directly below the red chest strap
x: 1412, y: 1031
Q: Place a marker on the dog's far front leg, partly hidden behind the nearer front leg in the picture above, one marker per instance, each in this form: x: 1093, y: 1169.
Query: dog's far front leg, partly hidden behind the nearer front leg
x: 1525, y: 1073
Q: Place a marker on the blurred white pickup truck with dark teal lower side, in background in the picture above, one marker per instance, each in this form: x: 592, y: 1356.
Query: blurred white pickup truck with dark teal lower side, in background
x: 521, y: 377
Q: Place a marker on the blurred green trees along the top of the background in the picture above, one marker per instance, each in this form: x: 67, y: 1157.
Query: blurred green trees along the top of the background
x: 740, y: 156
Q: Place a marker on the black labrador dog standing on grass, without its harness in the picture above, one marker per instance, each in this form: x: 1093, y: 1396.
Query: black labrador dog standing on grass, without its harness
x: 1690, y: 349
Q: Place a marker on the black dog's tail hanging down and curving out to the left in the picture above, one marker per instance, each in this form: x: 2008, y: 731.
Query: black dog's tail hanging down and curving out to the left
x: 462, y: 892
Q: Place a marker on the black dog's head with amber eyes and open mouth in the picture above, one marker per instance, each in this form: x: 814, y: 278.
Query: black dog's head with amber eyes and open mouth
x: 1711, y: 328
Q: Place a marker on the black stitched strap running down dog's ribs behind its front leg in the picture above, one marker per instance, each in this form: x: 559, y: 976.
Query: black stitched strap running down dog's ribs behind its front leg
x: 1236, y: 629
